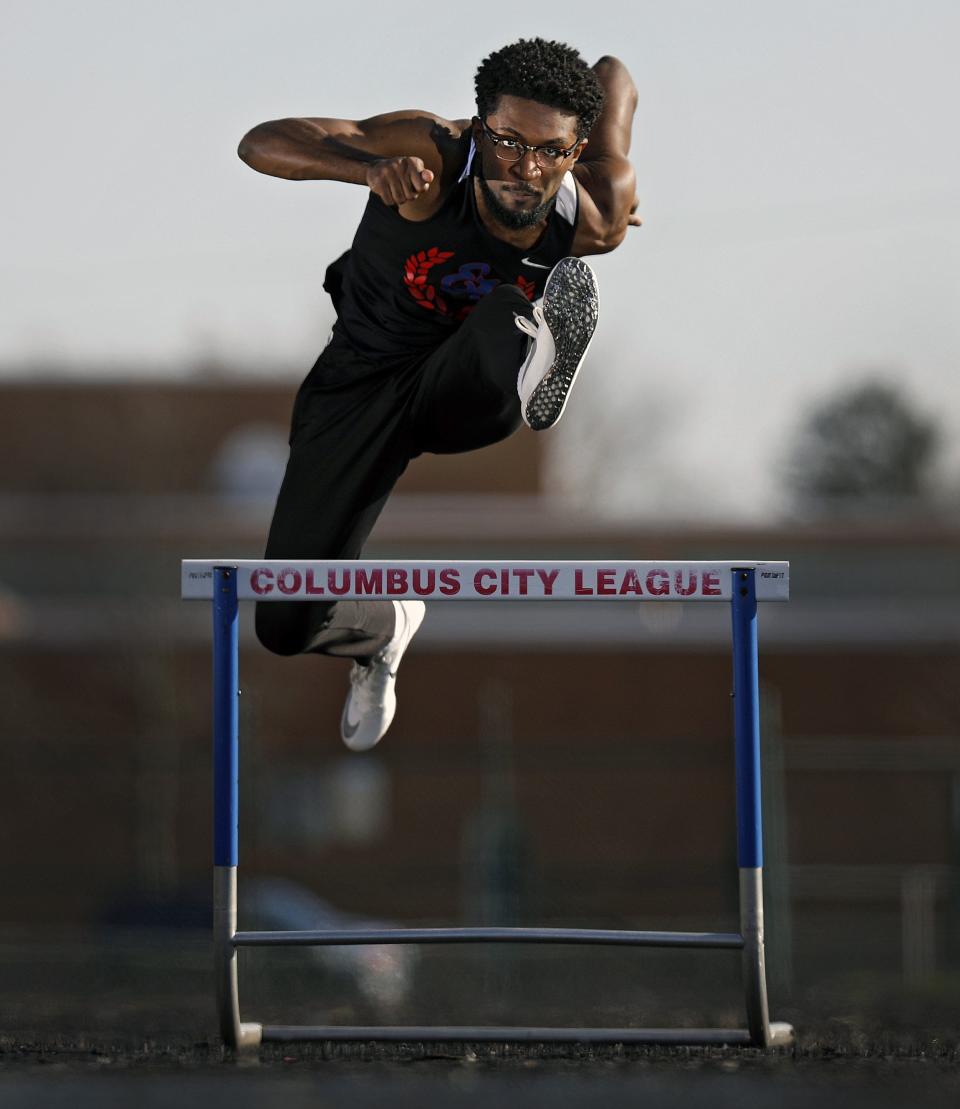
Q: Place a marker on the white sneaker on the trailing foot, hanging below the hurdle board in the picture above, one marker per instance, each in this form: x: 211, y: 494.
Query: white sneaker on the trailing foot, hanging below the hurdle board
x: 373, y: 698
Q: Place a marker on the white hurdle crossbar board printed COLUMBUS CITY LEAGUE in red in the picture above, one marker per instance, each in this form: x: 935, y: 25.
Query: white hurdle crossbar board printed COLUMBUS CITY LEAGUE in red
x: 515, y: 581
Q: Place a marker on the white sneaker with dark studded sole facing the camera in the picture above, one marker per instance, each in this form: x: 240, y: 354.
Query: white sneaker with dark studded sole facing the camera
x: 561, y: 330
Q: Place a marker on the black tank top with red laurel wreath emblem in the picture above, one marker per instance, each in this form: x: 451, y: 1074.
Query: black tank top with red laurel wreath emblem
x: 405, y: 287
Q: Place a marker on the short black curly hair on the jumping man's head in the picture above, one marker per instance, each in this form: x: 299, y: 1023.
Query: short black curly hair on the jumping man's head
x: 552, y: 74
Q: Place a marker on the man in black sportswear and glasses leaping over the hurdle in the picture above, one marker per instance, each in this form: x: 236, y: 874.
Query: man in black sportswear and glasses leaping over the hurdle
x: 463, y: 308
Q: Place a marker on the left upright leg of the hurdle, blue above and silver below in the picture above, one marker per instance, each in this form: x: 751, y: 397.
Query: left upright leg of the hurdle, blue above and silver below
x: 226, y: 809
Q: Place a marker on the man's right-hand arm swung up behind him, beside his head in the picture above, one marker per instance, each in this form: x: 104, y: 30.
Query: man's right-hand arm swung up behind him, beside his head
x: 608, y: 204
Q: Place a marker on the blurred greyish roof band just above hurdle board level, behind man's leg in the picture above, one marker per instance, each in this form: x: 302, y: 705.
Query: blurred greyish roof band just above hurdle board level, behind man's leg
x: 455, y: 517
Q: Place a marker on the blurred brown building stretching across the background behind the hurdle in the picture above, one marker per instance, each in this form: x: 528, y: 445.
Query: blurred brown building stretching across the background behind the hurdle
x: 550, y: 764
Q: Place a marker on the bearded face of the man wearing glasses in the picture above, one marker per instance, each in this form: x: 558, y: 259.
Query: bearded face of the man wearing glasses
x: 520, y: 195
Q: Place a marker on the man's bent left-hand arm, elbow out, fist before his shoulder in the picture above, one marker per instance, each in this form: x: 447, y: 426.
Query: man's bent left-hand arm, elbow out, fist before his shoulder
x: 397, y: 156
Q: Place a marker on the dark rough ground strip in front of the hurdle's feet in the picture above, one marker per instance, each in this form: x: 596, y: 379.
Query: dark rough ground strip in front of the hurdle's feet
x: 87, y: 1074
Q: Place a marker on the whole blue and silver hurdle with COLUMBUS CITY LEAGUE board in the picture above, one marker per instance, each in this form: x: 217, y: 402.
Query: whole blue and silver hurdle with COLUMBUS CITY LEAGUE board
x: 740, y: 584
